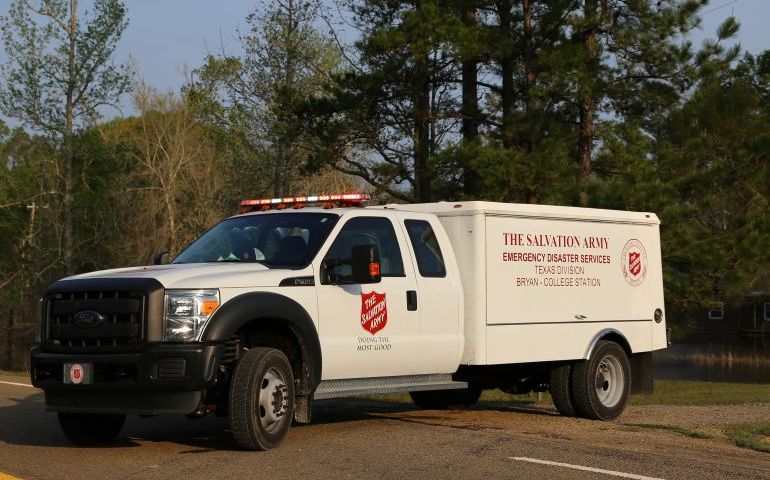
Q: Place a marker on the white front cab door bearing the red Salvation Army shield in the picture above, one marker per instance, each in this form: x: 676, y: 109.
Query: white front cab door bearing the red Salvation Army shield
x: 369, y: 330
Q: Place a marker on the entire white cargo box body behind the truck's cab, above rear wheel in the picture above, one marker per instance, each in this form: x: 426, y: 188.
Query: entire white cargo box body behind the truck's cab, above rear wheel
x: 553, y: 278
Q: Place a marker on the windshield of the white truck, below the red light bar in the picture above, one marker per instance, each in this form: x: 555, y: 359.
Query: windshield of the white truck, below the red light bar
x: 273, y: 239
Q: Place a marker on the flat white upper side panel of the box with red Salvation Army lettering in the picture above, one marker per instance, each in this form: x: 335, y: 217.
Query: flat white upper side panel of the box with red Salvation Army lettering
x: 584, y: 271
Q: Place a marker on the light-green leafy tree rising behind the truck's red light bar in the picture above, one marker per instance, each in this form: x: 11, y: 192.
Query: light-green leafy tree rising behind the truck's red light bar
x: 253, y: 99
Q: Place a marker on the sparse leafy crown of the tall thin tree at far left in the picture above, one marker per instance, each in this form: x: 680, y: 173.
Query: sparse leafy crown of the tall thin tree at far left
x: 59, y: 72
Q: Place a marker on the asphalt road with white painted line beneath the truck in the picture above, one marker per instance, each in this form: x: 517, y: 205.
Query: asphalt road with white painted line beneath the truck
x: 365, y: 439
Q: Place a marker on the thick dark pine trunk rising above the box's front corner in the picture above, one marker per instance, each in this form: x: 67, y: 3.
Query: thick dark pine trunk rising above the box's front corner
x: 470, y: 105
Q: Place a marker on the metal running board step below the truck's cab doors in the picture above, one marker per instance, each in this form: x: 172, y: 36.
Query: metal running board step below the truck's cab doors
x: 365, y: 386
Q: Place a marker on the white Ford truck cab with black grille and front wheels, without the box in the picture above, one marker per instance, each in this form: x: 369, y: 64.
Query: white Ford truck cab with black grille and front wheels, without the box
x: 330, y: 292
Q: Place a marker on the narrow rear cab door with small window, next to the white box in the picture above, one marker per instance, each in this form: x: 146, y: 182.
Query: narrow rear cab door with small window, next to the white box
x: 438, y: 297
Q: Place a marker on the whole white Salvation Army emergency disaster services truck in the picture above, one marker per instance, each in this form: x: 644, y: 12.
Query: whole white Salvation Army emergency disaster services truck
x: 270, y: 310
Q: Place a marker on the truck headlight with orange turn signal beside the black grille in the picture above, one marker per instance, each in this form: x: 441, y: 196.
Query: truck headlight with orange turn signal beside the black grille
x: 186, y: 313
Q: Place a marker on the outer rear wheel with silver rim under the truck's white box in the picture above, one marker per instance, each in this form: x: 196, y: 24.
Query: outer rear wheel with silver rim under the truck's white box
x: 600, y: 385
